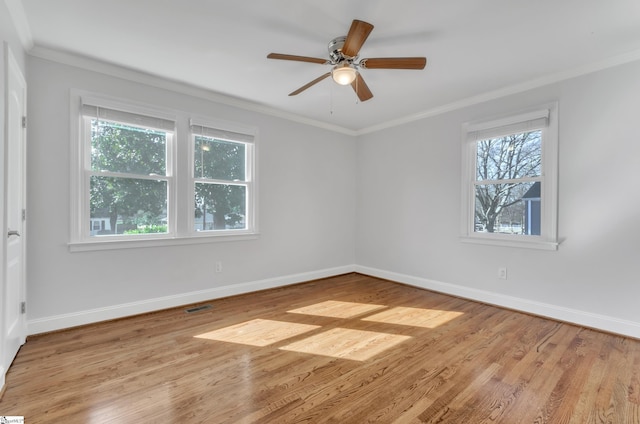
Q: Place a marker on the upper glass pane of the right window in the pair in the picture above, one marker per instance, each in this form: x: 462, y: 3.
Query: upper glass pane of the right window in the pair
x: 220, y: 160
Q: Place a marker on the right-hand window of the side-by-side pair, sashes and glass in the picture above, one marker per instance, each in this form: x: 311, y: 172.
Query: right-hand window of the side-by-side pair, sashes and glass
x: 222, y: 182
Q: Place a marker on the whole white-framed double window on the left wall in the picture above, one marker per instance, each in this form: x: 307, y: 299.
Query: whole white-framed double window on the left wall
x: 130, y: 190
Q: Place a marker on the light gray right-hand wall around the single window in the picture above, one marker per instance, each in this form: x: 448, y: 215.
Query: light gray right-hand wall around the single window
x: 409, y: 207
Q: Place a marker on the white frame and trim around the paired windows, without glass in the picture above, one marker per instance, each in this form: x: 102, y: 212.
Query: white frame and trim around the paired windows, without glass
x: 179, y: 175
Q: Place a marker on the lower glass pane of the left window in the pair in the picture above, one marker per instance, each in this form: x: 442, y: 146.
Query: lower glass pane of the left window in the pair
x: 128, y: 205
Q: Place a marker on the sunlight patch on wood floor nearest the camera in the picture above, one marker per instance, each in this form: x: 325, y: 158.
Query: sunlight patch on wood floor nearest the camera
x: 345, y: 343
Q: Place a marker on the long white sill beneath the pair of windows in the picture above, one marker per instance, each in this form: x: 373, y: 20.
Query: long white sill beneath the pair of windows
x: 84, y: 246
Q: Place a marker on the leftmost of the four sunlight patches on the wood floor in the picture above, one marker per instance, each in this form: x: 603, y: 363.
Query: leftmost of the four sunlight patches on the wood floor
x: 258, y: 332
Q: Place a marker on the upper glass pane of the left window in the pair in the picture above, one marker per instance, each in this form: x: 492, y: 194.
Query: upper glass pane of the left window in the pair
x: 127, y: 149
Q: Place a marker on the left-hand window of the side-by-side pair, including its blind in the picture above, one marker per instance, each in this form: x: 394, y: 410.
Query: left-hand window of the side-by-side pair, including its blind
x: 126, y: 177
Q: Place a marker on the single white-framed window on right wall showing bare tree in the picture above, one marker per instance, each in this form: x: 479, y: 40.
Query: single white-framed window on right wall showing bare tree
x: 510, y: 181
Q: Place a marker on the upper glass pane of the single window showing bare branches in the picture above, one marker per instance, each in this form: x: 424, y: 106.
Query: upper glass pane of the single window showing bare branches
x: 510, y: 157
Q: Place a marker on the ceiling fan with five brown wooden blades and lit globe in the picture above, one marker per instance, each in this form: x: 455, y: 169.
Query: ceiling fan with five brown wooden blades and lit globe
x: 343, y: 57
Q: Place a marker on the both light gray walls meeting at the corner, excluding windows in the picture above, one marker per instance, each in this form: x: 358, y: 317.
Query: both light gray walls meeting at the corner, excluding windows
x: 385, y: 203
